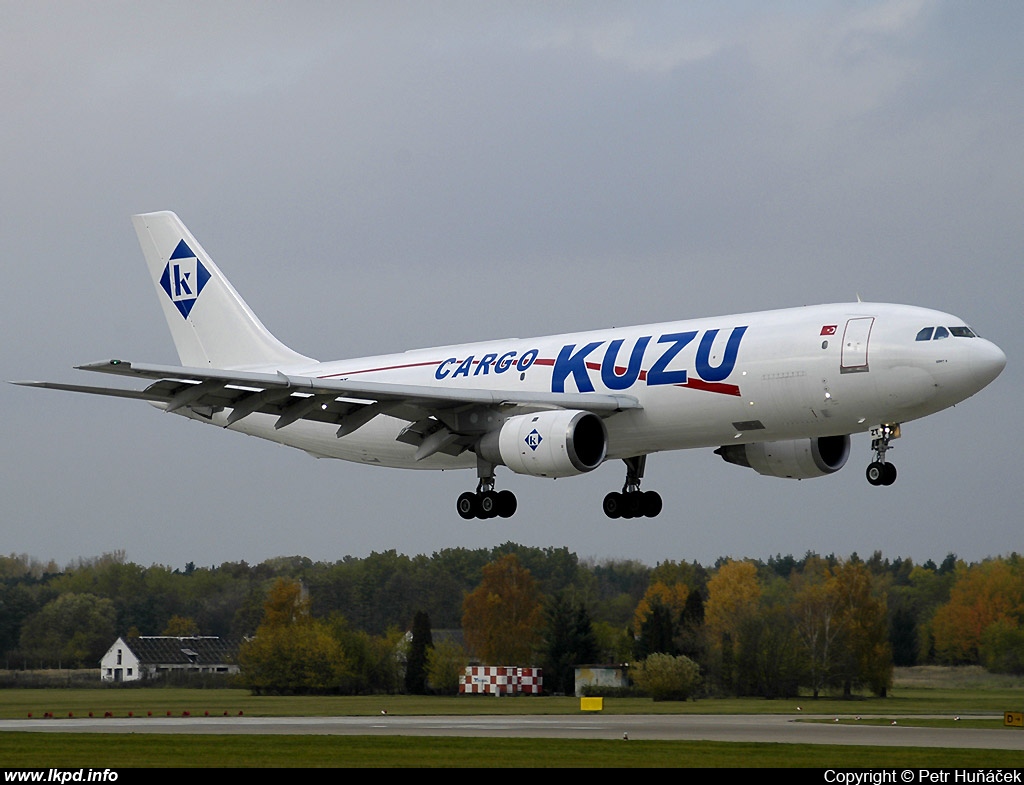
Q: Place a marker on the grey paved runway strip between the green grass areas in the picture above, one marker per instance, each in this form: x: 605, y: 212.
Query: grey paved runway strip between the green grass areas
x: 729, y: 728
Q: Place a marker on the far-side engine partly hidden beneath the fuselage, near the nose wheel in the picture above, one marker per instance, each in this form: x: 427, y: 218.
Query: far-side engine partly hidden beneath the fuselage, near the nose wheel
x: 796, y: 459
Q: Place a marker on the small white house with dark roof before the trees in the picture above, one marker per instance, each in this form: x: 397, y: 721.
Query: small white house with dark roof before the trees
x: 151, y: 657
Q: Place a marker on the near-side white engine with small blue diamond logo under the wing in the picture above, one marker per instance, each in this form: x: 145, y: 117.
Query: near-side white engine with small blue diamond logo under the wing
x: 559, y: 444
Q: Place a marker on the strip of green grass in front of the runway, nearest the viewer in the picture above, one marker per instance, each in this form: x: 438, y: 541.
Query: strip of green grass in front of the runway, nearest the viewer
x: 97, y: 752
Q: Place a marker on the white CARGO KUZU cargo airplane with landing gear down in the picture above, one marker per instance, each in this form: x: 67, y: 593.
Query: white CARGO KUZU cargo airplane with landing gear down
x: 779, y: 391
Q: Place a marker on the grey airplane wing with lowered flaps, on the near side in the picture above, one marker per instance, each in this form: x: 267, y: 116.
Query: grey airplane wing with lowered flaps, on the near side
x: 345, y: 403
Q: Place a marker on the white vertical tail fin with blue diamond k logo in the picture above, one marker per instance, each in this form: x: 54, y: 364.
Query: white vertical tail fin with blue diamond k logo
x: 210, y: 324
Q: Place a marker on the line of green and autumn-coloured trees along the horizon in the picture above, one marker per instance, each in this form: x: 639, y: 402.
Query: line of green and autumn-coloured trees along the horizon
x: 752, y: 627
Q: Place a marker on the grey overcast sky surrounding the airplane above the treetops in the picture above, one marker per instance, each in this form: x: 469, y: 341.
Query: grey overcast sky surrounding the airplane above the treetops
x: 380, y: 177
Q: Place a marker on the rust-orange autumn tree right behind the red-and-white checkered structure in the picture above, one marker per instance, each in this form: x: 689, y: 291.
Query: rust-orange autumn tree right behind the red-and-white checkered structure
x: 503, y: 617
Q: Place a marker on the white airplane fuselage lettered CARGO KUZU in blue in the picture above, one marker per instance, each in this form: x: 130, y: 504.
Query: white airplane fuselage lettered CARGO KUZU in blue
x: 798, y: 373
